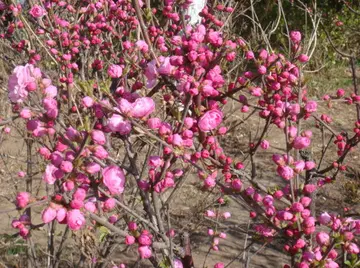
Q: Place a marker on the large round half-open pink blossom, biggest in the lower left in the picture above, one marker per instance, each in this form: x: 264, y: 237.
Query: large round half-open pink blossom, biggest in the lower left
x: 114, y: 179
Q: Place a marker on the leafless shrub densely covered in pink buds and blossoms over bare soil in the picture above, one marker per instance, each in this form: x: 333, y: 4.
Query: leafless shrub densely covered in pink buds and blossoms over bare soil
x: 124, y: 75
